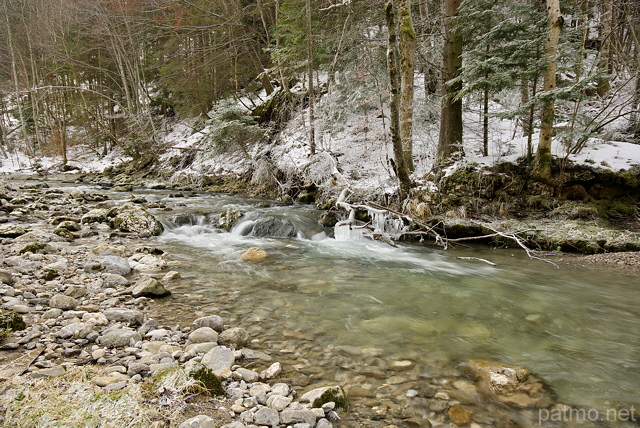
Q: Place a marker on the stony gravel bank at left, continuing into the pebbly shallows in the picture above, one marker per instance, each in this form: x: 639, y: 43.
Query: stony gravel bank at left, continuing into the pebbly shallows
x: 79, y: 269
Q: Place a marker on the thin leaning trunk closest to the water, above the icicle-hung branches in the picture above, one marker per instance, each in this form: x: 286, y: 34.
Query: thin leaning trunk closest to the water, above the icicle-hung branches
x: 393, y: 64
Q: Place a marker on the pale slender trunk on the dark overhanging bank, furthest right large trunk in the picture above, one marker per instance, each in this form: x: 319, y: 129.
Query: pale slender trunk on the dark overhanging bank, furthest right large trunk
x: 542, y: 162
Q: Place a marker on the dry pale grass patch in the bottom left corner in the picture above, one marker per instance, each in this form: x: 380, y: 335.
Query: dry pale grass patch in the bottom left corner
x: 72, y: 400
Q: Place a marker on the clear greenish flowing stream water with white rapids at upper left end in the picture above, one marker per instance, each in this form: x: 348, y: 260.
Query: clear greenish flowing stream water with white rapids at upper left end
x: 577, y: 328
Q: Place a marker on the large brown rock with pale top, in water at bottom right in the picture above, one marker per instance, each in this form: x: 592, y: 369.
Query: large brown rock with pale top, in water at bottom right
x: 508, y: 384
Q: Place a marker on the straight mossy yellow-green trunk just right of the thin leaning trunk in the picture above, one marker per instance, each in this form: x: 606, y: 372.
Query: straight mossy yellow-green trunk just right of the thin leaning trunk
x: 407, y: 42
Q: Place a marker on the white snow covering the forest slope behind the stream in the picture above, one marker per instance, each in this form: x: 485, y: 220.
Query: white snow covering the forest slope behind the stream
x: 359, y: 143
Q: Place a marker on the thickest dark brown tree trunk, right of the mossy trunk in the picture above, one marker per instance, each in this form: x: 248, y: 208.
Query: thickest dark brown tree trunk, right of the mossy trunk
x: 450, y: 142
